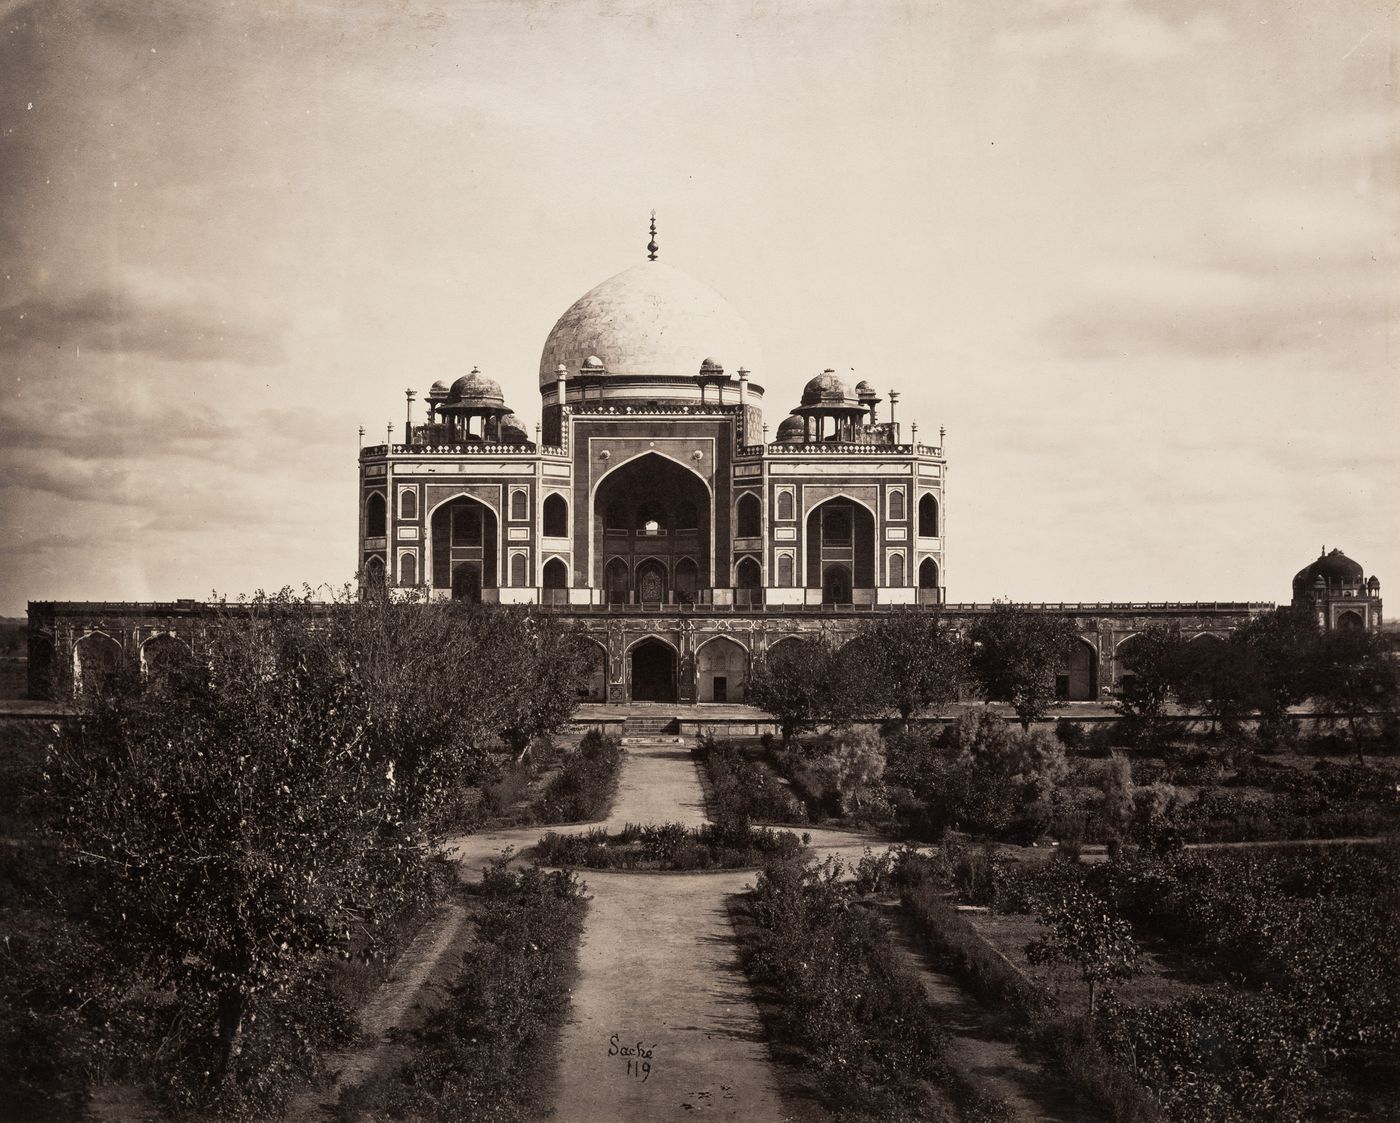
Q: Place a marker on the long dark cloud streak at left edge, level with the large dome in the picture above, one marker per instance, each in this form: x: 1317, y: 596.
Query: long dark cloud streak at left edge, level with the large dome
x: 121, y: 321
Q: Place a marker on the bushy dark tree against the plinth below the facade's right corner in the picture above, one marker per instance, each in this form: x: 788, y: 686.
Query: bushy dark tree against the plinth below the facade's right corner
x: 919, y: 664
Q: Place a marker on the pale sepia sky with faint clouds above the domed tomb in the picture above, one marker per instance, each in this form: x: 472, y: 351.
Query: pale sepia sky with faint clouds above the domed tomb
x: 1142, y: 258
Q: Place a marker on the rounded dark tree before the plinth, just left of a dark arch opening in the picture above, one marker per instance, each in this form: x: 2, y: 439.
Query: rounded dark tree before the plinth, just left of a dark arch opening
x: 1016, y: 655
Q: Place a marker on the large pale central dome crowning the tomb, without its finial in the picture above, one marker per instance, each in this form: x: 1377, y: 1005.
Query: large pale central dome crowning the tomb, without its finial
x: 650, y: 321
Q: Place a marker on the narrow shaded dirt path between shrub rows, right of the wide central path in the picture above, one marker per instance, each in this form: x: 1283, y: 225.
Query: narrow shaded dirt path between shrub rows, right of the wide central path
x: 983, y: 1048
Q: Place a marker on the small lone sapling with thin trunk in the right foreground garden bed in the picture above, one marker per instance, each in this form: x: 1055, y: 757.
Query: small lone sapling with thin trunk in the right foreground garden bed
x: 1084, y: 930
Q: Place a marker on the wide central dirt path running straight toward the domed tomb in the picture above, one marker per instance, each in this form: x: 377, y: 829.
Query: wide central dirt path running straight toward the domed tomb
x: 659, y: 967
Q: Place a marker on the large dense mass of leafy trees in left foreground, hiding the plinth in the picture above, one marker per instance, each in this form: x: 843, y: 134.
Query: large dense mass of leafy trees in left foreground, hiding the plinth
x: 250, y: 813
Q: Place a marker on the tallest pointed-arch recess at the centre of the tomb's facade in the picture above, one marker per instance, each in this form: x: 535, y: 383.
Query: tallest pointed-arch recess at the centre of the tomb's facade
x: 652, y: 533
